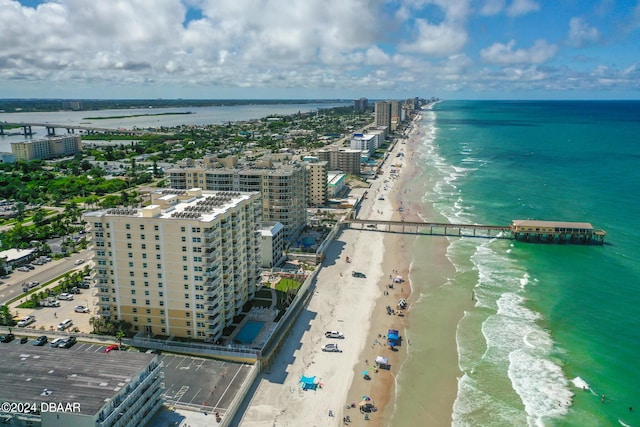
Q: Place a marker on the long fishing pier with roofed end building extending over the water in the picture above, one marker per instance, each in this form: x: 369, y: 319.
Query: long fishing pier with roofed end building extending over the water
x: 533, y: 231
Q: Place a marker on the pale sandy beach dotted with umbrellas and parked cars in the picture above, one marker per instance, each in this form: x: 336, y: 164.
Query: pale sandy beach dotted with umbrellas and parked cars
x: 357, y: 308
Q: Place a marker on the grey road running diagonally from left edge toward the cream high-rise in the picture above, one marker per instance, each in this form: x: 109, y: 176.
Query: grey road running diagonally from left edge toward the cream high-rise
x: 12, y: 286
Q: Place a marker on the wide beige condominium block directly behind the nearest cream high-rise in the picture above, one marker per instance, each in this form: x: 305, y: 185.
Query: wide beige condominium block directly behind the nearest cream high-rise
x: 282, y: 189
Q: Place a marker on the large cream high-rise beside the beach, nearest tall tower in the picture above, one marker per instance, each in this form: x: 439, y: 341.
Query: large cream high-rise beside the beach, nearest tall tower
x: 183, y: 266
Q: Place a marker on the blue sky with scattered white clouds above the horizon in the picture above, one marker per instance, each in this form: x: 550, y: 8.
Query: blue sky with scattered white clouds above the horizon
x: 320, y: 49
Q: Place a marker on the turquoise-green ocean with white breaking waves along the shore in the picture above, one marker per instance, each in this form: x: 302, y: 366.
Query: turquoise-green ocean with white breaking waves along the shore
x: 553, y: 335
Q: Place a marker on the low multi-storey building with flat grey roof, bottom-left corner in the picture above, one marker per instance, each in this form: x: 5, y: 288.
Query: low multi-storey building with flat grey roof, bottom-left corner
x: 121, y: 389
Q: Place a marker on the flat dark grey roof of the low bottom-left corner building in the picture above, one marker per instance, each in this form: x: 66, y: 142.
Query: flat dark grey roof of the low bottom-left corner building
x: 44, y: 374
